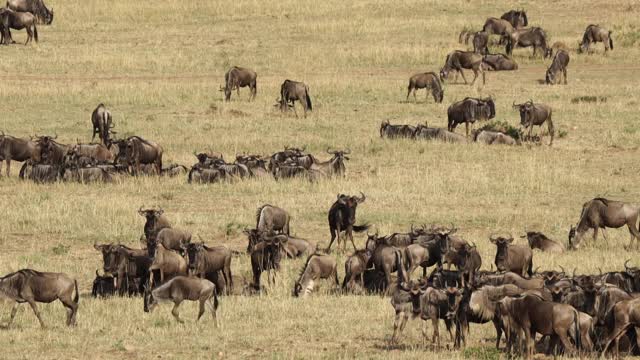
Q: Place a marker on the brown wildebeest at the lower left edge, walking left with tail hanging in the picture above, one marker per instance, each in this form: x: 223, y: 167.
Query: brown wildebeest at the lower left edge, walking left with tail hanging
x: 32, y: 286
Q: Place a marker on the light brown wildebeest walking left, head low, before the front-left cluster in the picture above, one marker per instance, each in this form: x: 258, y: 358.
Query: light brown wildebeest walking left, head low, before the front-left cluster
x: 183, y: 288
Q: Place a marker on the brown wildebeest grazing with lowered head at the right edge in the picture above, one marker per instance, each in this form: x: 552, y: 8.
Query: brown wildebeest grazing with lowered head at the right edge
x: 601, y: 213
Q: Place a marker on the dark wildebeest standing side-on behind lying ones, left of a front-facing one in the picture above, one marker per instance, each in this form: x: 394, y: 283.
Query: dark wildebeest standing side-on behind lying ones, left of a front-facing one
x: 470, y: 110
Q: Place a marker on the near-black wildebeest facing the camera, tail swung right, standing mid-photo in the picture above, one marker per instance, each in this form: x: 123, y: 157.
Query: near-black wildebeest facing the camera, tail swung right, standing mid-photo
x: 342, y: 218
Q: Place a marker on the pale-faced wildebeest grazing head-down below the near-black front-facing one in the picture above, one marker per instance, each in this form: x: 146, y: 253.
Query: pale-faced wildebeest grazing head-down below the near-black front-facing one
x: 316, y: 267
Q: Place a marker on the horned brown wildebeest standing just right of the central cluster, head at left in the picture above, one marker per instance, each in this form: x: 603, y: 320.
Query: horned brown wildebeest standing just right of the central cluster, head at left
x: 515, y: 258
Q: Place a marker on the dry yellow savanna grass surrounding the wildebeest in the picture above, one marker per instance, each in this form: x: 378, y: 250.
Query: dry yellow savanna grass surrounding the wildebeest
x: 158, y: 65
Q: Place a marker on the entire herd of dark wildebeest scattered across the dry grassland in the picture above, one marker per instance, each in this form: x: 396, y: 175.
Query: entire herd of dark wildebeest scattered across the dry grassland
x: 574, y: 313
